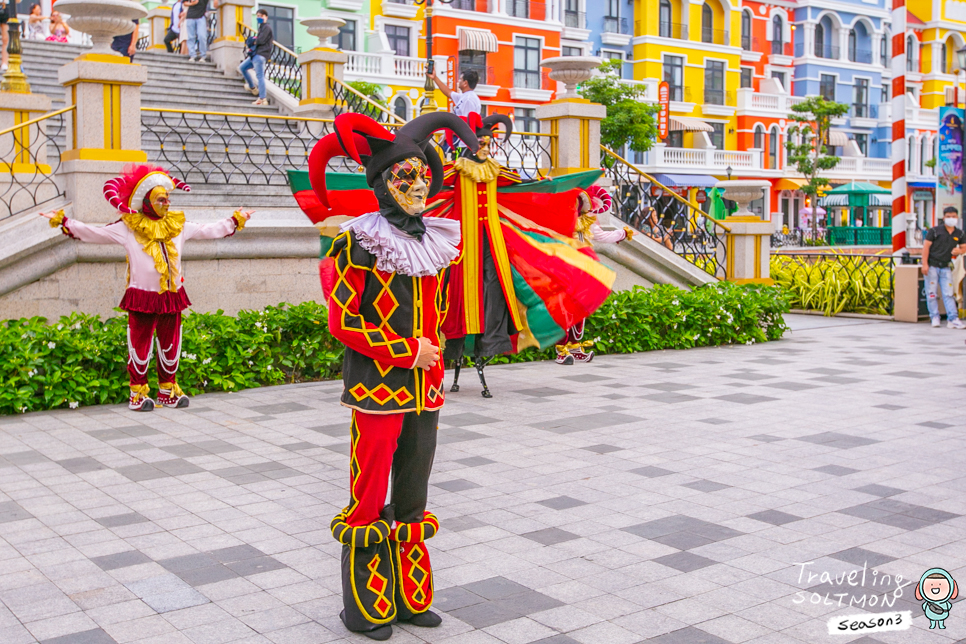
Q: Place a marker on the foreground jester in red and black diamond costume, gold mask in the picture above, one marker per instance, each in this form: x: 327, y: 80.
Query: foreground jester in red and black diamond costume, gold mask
x: 386, y: 304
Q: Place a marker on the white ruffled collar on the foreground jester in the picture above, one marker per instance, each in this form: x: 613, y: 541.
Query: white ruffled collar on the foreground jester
x: 399, y: 252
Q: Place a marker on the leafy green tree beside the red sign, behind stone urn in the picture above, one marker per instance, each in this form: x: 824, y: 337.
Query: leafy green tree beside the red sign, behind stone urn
x: 629, y: 121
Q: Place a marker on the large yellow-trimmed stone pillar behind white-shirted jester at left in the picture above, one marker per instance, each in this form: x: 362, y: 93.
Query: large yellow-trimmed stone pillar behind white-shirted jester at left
x: 103, y: 131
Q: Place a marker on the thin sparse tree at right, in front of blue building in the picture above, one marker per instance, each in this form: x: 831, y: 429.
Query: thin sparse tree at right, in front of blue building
x: 810, y: 155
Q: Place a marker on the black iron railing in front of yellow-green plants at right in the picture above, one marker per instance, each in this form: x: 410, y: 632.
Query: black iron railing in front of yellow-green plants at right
x: 836, y: 283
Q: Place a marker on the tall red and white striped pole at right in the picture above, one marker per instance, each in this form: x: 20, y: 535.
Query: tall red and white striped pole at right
x: 898, y: 125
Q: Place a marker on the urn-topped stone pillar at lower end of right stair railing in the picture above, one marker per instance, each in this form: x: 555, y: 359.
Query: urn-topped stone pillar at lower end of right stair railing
x: 747, y: 249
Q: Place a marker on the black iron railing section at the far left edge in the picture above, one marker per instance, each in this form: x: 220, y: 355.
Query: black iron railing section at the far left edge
x: 29, y: 161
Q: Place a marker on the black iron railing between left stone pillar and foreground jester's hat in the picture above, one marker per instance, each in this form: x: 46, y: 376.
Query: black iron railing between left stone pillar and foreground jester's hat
x: 232, y: 149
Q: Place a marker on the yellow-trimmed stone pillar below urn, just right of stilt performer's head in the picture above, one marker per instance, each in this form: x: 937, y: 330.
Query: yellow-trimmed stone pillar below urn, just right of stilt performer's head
x: 576, y: 122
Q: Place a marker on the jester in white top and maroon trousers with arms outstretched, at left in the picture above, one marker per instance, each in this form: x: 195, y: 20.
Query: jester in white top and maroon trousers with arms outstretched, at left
x: 153, y: 237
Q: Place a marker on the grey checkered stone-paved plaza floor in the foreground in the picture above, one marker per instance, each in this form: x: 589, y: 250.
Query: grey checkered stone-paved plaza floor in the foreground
x: 665, y: 497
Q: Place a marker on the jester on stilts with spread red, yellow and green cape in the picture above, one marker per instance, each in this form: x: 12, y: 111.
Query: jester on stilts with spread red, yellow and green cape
x: 518, y: 283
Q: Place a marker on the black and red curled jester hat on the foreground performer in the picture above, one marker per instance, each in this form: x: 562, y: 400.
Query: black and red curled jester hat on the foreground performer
x: 370, y: 144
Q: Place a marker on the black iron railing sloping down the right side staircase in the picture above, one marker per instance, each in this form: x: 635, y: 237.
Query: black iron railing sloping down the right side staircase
x: 661, y: 215
